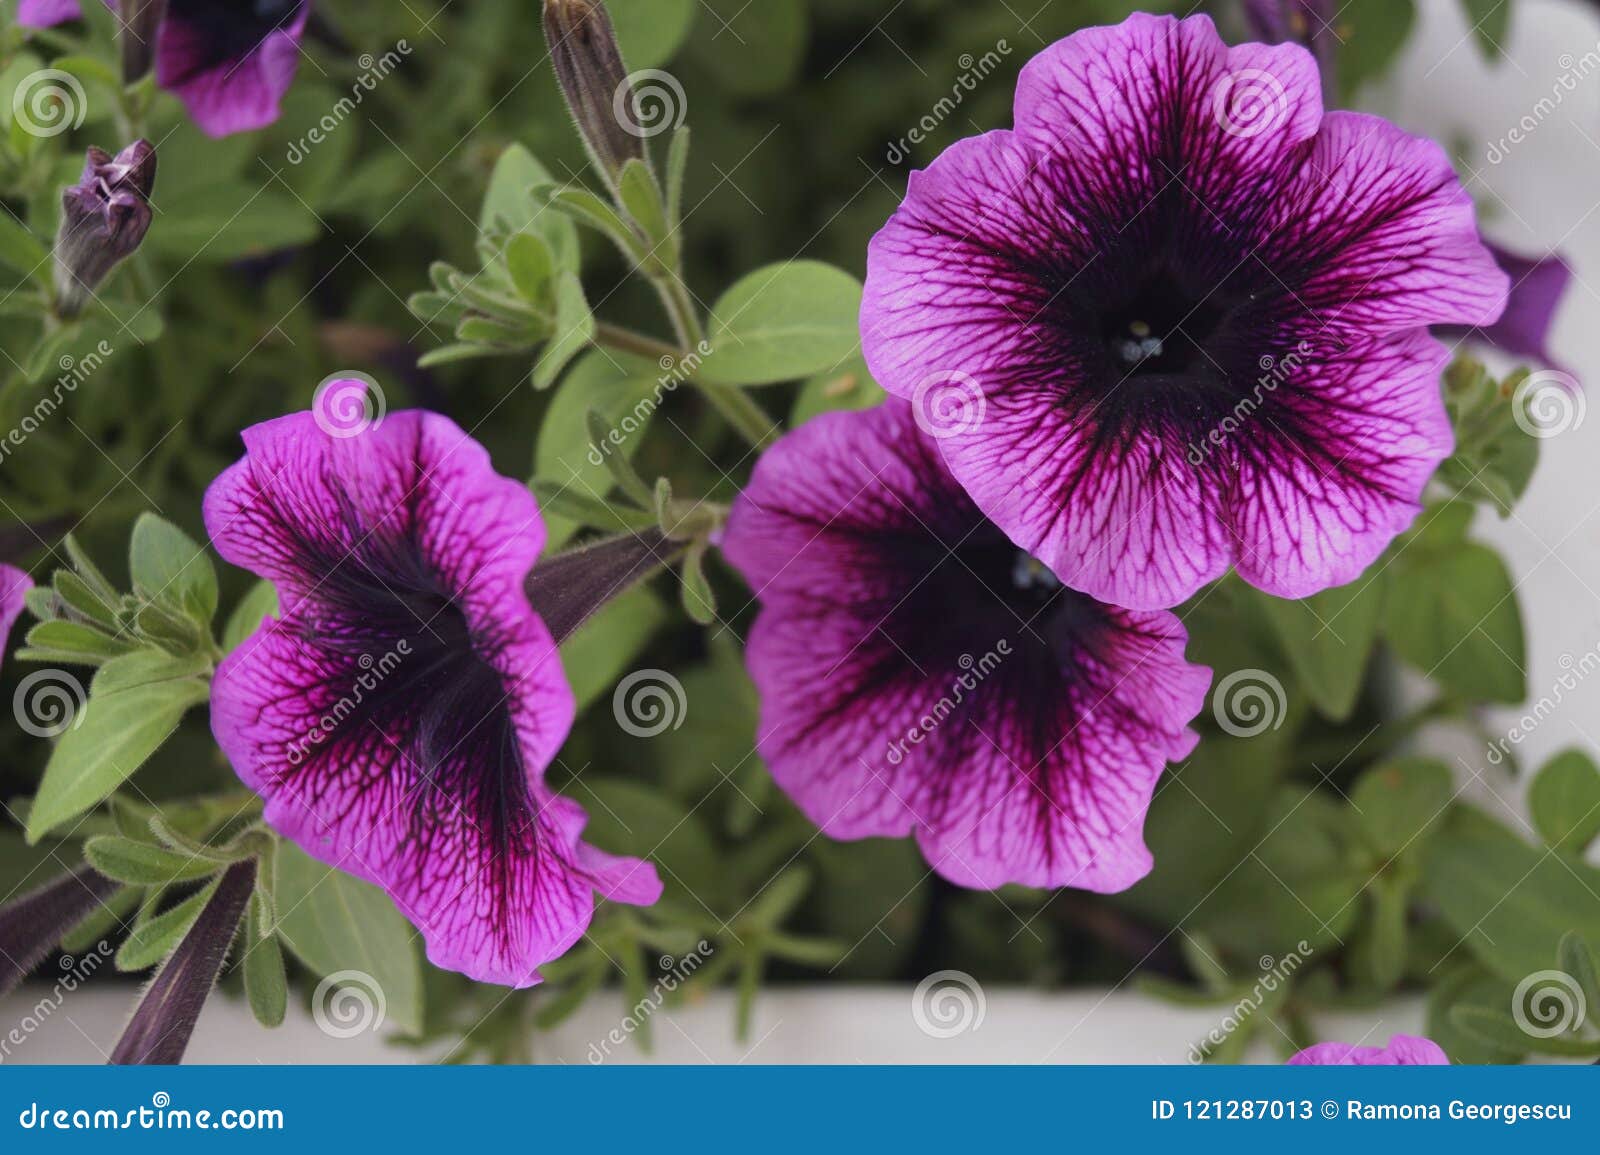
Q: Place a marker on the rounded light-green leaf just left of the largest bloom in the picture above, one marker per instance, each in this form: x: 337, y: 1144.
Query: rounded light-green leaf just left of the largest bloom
x: 782, y: 324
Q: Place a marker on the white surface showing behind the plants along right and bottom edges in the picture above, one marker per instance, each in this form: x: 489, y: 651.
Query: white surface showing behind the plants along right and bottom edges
x: 1545, y: 196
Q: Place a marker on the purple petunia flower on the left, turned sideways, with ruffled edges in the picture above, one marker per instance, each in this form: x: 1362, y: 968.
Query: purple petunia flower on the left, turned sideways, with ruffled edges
x: 401, y: 714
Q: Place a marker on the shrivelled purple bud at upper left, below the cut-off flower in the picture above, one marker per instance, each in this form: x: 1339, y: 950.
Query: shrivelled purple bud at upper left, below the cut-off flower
x: 103, y: 222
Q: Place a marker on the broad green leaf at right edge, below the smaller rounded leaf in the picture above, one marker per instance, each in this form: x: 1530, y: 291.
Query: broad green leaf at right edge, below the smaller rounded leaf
x: 1510, y: 903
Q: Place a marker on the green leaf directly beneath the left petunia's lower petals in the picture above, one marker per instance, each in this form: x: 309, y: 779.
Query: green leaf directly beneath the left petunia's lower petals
x: 334, y: 924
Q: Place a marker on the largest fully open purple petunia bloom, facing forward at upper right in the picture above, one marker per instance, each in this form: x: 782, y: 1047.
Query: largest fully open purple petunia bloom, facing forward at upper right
x: 1177, y: 321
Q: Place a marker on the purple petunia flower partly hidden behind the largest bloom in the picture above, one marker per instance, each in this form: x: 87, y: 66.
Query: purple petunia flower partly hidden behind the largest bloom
x: 921, y: 674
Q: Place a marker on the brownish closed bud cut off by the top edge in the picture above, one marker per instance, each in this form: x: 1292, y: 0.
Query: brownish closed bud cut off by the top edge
x: 594, y: 81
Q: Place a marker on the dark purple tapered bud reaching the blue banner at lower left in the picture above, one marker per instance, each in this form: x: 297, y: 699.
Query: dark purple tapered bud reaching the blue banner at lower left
x: 159, y: 1031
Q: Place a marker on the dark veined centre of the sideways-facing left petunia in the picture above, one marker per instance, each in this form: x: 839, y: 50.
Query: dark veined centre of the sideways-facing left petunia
x: 439, y: 714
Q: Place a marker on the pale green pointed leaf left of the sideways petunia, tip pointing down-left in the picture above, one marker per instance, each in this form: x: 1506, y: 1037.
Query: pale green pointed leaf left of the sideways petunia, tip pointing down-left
x: 111, y: 738
